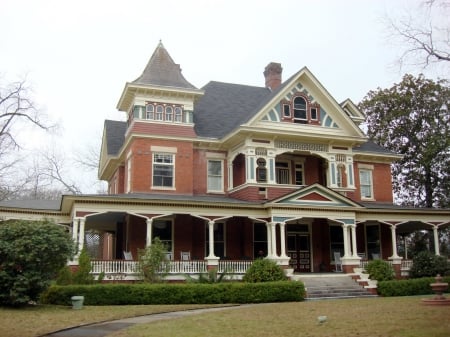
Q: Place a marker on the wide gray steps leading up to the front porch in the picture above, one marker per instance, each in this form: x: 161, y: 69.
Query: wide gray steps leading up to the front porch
x: 331, y: 286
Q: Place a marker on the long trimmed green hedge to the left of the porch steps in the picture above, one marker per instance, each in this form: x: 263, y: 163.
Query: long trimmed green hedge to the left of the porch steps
x: 189, y: 293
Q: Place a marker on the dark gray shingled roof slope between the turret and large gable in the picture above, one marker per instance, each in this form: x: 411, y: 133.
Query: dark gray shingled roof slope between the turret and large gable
x: 225, y: 106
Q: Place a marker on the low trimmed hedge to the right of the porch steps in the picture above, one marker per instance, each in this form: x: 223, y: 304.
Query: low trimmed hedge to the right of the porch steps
x: 411, y: 287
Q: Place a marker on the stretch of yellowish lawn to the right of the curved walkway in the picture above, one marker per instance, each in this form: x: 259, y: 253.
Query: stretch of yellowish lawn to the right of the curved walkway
x: 401, y: 316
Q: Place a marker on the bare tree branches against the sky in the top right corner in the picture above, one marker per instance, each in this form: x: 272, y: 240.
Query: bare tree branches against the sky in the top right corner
x: 423, y: 34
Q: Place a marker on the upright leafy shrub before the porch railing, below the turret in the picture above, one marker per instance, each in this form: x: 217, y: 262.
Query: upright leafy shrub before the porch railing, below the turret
x: 153, y: 264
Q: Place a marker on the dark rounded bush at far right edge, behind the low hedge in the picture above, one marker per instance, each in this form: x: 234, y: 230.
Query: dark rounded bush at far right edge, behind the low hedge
x: 426, y: 264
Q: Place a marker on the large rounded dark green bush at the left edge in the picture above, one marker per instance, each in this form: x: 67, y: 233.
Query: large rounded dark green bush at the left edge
x: 31, y: 254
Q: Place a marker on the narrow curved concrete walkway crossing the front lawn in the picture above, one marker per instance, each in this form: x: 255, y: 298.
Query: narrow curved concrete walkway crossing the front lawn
x: 106, y: 328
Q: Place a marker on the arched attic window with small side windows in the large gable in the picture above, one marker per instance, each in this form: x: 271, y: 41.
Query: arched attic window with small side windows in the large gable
x: 300, y: 110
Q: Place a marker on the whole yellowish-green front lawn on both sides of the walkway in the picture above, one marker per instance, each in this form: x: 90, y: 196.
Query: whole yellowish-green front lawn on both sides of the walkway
x: 373, y: 317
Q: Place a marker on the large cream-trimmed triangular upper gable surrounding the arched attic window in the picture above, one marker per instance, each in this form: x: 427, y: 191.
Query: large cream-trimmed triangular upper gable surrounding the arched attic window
x: 331, y: 119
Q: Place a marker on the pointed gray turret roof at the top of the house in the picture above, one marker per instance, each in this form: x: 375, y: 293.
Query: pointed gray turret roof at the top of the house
x: 161, y: 70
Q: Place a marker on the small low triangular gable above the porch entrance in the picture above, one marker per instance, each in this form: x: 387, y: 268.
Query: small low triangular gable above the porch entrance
x: 318, y: 196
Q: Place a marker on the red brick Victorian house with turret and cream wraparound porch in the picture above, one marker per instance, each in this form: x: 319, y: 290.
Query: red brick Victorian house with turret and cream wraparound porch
x: 228, y: 173
